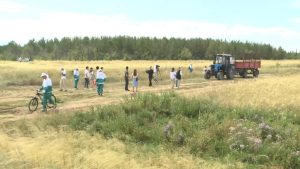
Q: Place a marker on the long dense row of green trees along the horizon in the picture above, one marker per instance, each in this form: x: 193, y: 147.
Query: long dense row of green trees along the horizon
x: 135, y: 48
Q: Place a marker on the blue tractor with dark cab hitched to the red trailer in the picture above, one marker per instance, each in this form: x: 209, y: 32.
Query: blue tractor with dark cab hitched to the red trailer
x: 223, y: 65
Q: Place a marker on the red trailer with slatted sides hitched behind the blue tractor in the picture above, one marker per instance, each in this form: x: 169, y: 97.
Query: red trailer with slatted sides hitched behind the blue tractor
x: 248, y: 65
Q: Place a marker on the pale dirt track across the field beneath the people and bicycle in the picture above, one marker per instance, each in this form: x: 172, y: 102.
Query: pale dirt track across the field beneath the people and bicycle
x: 14, y: 100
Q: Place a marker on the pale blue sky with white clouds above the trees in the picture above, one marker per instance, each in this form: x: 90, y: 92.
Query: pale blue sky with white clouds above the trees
x: 275, y: 22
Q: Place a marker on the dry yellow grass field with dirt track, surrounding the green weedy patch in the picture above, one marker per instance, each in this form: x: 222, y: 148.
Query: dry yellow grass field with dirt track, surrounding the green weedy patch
x: 23, y: 144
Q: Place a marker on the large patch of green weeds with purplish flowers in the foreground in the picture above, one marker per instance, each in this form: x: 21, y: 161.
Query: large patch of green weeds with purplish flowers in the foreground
x: 201, y: 127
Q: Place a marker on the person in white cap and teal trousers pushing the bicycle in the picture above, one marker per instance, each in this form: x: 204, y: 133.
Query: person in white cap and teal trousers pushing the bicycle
x: 47, y: 90
